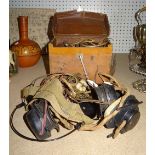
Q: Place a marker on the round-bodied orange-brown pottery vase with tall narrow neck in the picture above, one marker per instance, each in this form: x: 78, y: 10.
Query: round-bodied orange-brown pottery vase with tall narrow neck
x: 28, y: 51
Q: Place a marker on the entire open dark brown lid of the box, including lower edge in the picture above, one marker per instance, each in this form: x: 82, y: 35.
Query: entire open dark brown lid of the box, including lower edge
x: 72, y: 26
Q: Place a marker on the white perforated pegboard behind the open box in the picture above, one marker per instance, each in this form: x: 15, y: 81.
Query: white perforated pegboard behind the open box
x: 120, y: 13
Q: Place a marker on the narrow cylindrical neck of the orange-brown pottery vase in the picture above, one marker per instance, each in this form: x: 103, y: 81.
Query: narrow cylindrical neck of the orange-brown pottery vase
x: 23, y: 27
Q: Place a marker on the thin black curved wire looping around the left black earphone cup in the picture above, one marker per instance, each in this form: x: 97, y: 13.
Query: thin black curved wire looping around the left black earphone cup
x: 33, y: 139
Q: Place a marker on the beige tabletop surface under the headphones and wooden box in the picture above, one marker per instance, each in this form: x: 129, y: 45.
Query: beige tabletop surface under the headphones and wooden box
x: 80, y: 142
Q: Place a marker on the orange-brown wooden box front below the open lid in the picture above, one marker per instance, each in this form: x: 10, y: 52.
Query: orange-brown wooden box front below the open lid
x: 66, y: 60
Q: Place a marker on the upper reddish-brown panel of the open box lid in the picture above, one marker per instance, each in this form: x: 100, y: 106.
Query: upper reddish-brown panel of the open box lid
x: 80, y: 23
